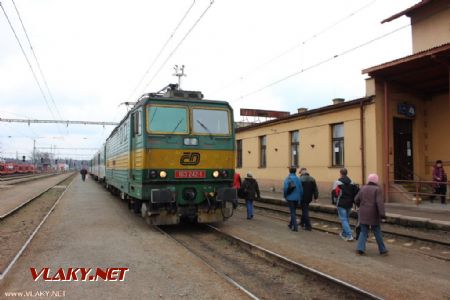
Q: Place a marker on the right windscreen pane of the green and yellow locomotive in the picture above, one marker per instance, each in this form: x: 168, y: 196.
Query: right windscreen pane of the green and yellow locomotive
x: 210, y: 121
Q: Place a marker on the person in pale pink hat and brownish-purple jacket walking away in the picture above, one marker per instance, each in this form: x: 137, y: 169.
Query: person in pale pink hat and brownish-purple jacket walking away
x: 371, y: 211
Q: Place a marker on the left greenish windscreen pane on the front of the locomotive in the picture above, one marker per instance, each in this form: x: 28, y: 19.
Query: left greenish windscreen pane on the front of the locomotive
x: 167, y: 119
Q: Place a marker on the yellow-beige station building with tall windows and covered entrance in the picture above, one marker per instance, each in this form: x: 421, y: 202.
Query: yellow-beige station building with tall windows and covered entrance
x: 398, y: 130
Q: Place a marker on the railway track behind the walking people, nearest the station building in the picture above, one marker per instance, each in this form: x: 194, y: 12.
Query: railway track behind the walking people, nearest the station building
x: 434, y: 245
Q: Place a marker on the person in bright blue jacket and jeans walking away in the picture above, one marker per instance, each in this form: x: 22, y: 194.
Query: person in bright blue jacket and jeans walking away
x: 293, y: 193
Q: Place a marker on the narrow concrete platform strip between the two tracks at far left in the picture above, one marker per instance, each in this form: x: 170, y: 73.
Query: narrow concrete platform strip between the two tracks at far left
x: 12, y: 196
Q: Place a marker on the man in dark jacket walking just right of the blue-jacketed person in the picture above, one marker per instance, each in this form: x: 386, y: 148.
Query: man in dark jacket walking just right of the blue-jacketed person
x: 309, y: 191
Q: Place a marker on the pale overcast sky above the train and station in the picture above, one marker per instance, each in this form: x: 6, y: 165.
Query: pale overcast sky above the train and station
x: 94, y: 53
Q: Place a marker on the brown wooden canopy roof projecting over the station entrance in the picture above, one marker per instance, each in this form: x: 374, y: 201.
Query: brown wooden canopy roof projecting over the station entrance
x: 426, y: 72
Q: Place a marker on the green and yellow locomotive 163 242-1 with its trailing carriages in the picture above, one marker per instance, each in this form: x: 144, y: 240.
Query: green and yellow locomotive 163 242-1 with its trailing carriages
x: 172, y: 157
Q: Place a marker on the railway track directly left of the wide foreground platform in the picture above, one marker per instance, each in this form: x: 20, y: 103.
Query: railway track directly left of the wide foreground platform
x: 18, y: 226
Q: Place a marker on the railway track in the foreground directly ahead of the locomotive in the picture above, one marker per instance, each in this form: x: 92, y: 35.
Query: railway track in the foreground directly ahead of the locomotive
x: 258, y: 272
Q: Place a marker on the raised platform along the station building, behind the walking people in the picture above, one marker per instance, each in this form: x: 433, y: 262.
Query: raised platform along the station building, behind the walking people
x: 431, y: 216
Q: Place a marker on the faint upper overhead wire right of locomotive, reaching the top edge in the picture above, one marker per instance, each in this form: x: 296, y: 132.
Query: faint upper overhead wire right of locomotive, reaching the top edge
x: 299, y: 44
